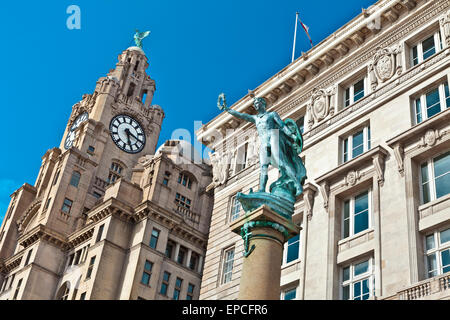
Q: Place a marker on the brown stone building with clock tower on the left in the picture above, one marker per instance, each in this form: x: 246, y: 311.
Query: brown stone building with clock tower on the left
x: 108, y: 217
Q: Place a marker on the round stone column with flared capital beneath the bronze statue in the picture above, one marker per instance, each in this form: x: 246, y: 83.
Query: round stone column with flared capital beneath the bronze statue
x: 264, y: 233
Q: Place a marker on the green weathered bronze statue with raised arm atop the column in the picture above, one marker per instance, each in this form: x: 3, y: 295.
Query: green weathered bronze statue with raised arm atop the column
x: 281, y: 144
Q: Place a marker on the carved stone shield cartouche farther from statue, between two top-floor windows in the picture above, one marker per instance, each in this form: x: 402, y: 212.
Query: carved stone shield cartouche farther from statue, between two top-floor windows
x: 385, y: 63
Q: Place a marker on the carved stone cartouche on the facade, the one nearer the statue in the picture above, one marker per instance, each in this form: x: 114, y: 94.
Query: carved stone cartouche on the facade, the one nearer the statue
x: 320, y: 106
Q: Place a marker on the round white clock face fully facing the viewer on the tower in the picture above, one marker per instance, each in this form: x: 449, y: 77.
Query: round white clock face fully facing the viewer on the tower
x: 127, y: 133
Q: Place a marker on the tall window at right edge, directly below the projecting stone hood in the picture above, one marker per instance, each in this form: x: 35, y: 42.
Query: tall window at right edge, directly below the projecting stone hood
x: 435, y: 178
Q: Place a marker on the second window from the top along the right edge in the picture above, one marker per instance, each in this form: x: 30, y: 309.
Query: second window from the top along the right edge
x: 432, y: 102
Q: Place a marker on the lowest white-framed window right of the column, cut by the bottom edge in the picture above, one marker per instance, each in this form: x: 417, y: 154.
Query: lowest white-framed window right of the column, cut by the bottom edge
x: 357, y: 281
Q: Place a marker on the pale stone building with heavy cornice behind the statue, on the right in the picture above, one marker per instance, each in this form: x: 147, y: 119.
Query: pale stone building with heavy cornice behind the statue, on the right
x: 373, y: 102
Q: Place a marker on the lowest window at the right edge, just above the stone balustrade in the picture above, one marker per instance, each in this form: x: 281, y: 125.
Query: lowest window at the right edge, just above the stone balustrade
x: 437, y: 252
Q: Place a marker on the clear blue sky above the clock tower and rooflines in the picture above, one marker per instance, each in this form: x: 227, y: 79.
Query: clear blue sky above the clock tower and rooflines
x: 196, y: 50
